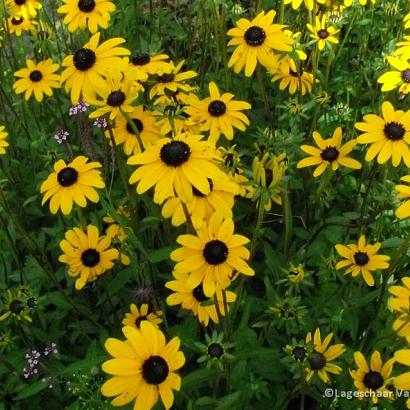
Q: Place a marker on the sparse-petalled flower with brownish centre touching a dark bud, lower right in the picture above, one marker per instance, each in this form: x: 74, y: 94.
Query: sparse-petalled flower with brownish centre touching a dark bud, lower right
x: 319, y: 359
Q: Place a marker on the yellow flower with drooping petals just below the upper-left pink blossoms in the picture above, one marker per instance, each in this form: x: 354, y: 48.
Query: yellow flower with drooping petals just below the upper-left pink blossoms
x: 73, y: 182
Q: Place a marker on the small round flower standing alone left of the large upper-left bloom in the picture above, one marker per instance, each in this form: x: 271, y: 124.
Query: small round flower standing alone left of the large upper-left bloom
x: 37, y: 79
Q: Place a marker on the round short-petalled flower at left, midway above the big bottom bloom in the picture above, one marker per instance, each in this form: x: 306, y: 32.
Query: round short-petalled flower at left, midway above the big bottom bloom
x: 87, y: 254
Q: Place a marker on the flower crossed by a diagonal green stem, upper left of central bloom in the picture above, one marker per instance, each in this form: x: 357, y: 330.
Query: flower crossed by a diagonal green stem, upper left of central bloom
x: 148, y: 130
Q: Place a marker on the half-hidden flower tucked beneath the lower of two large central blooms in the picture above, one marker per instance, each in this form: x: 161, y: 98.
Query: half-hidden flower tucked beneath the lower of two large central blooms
x: 194, y: 299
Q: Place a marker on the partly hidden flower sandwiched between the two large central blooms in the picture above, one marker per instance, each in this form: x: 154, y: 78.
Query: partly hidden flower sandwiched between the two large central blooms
x: 220, y: 198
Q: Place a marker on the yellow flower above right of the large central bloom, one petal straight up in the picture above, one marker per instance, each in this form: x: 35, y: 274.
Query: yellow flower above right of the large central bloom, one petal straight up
x: 219, y: 114
